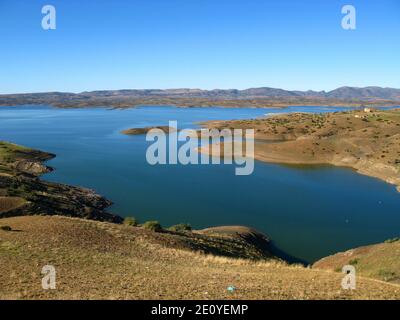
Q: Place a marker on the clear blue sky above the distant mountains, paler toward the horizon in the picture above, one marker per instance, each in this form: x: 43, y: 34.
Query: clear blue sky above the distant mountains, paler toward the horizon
x: 207, y: 44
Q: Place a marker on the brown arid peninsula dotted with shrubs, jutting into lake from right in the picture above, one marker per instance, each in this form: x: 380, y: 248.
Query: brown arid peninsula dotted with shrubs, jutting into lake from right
x: 368, y: 142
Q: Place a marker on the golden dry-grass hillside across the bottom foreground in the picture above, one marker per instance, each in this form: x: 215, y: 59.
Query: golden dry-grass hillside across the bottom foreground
x: 110, y: 261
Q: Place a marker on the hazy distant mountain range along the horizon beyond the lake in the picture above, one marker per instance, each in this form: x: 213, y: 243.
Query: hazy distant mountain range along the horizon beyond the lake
x: 188, y: 97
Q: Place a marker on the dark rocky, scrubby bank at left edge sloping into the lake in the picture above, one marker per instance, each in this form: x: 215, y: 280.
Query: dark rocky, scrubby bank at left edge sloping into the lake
x: 21, y: 180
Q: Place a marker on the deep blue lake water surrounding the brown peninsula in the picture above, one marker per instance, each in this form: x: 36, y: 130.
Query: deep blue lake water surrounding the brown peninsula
x: 309, y: 212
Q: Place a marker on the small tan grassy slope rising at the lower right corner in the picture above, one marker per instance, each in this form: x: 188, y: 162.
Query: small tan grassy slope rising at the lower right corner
x: 379, y: 261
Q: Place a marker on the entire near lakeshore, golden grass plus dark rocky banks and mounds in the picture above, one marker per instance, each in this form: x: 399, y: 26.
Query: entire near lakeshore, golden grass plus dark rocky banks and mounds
x: 39, y: 213
